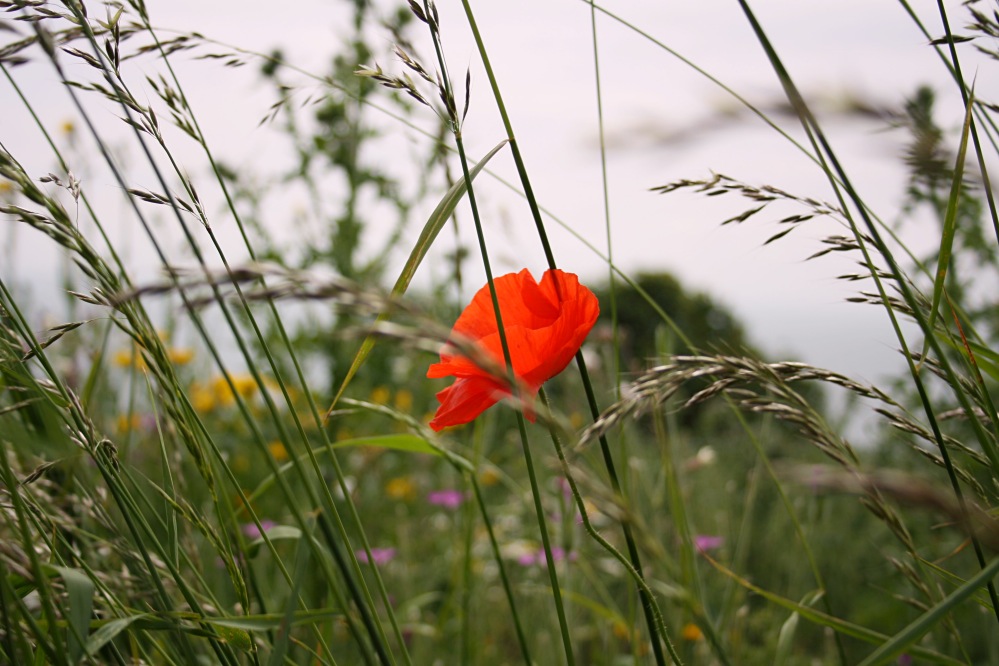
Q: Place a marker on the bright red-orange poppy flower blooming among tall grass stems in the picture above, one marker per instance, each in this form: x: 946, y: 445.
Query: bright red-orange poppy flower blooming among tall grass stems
x: 545, y: 325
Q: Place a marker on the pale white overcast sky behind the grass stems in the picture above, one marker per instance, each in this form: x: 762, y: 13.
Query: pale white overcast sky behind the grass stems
x: 660, y: 122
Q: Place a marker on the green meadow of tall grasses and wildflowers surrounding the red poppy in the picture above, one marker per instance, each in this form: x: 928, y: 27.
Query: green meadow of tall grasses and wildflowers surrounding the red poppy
x: 172, y: 490
